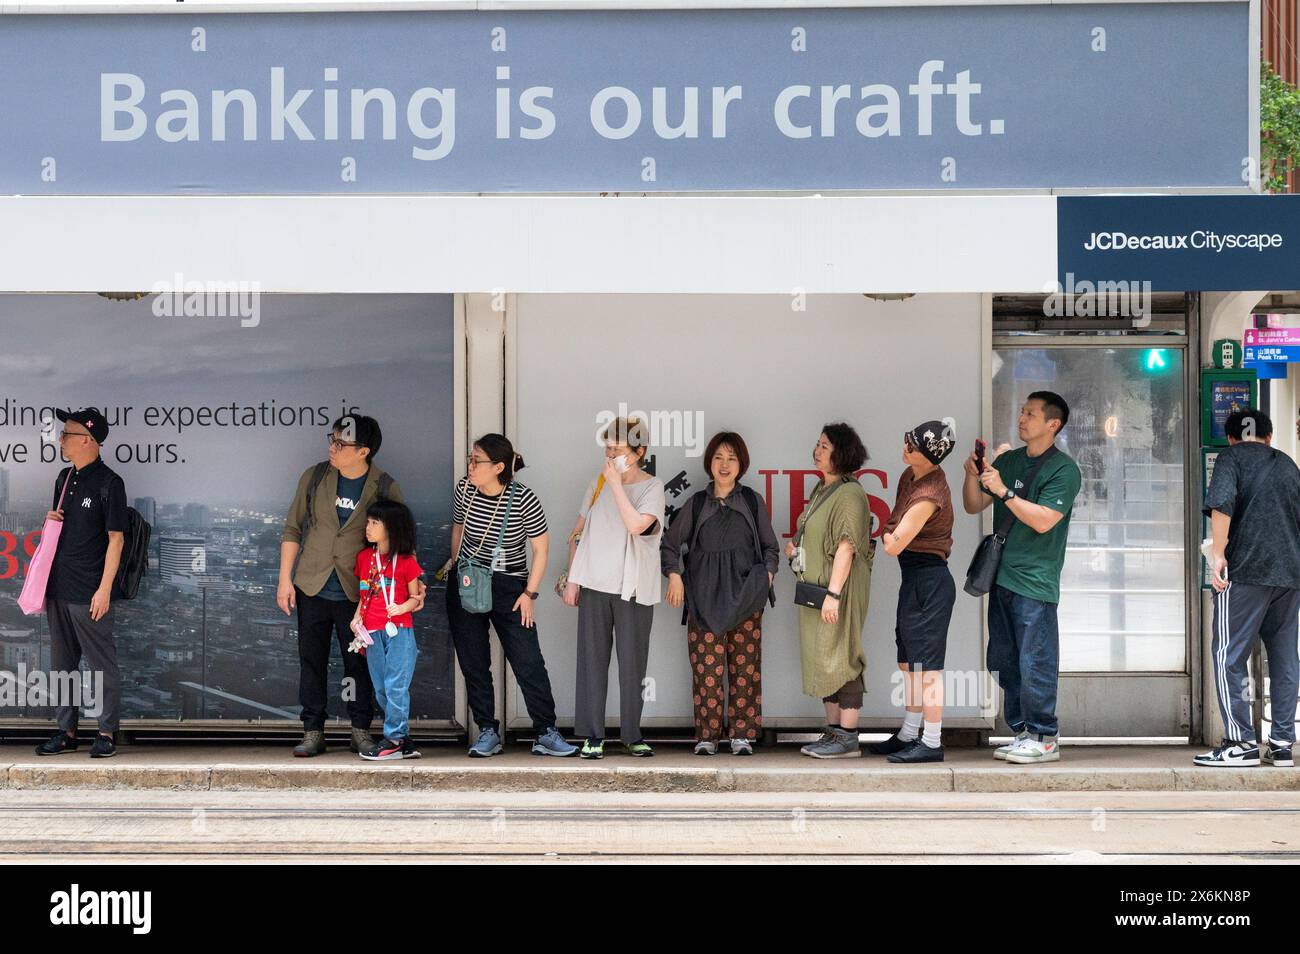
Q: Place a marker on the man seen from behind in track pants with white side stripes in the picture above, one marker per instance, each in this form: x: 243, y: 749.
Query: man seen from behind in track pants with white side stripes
x: 1254, y: 505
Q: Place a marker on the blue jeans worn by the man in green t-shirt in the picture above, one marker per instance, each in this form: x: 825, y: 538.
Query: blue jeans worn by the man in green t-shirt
x: 1025, y: 652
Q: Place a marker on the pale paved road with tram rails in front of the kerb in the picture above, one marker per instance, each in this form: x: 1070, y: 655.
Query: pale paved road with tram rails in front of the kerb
x: 109, y: 826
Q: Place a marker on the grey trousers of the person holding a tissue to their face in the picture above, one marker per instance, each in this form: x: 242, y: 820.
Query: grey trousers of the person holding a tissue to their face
x: 608, y: 622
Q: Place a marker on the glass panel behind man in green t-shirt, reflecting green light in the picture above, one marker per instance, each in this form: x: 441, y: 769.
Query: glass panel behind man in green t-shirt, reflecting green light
x: 1123, y: 591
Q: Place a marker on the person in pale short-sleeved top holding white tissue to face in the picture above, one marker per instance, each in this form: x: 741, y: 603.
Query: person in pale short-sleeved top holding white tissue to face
x: 614, y: 582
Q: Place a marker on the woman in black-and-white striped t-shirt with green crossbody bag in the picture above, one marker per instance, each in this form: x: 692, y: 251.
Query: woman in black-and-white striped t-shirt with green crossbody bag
x: 487, y: 501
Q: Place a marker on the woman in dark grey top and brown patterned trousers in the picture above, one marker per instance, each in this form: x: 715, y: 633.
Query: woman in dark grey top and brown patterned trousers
x: 725, y: 579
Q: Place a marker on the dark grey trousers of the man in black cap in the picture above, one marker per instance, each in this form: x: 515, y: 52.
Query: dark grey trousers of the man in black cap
x: 75, y: 635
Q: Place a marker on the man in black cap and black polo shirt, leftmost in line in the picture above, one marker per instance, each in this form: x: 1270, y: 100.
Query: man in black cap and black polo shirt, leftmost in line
x: 90, y: 500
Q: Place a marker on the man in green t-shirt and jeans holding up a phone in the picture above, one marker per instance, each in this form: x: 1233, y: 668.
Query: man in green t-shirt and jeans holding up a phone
x: 1035, y: 487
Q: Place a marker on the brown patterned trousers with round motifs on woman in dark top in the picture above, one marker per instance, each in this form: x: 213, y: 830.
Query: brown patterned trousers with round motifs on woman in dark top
x: 726, y: 662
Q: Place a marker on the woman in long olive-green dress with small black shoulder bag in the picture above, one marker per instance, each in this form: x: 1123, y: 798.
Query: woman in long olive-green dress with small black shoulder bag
x: 834, y: 541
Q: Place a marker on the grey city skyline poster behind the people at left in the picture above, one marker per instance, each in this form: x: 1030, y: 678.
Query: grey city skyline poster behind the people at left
x: 214, y: 419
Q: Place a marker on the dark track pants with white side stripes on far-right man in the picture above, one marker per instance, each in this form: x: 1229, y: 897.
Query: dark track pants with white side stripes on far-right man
x: 1243, y: 615
